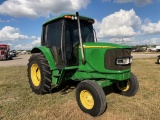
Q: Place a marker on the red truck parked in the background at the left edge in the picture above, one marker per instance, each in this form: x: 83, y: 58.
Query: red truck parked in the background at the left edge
x: 5, y: 52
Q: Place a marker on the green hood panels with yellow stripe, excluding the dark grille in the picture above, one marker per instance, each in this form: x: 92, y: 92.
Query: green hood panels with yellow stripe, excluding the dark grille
x: 94, y: 56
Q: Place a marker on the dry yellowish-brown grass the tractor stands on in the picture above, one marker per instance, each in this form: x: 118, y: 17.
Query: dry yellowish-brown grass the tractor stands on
x: 18, y: 102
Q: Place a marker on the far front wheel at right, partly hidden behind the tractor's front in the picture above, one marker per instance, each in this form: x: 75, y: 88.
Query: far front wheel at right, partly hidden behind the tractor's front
x: 128, y: 87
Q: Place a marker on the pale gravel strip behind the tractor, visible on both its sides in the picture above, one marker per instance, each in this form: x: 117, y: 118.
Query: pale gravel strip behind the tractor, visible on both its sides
x: 22, y: 60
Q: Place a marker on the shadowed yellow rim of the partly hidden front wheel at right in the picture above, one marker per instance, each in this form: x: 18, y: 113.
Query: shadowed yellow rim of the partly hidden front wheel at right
x: 124, y: 85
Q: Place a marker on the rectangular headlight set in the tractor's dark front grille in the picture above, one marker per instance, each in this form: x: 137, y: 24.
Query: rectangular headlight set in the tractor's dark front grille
x: 124, y: 61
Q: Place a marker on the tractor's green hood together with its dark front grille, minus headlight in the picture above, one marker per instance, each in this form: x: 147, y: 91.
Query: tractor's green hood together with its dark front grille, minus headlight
x: 102, y: 57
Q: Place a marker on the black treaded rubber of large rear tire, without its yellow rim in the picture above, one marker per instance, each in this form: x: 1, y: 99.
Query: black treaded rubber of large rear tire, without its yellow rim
x: 45, y: 85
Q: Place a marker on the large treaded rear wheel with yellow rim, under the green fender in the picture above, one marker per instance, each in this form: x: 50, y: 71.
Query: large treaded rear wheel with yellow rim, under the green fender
x: 39, y: 74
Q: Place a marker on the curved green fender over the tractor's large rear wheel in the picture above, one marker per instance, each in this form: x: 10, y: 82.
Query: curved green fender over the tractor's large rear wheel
x: 47, y: 53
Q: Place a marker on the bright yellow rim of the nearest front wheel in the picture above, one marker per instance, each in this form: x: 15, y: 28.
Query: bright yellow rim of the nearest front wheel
x: 86, y: 99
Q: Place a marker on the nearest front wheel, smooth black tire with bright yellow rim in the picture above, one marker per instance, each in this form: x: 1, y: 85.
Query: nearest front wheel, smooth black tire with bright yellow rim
x: 91, y: 98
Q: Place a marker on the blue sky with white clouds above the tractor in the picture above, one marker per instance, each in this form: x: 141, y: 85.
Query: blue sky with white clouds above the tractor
x: 129, y: 22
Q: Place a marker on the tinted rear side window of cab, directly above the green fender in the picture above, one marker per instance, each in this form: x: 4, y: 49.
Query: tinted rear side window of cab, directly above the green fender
x: 52, y: 38
